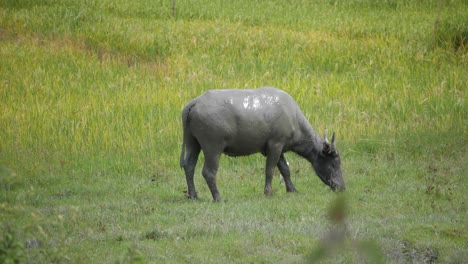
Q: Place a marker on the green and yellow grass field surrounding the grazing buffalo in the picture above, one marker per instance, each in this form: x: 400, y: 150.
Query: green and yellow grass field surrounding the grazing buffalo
x: 91, y: 94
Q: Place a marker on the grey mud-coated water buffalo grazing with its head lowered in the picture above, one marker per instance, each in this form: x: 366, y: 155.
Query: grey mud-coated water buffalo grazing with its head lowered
x: 244, y: 122
